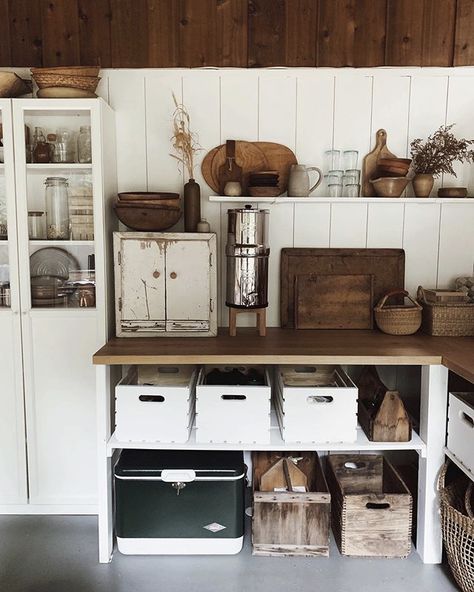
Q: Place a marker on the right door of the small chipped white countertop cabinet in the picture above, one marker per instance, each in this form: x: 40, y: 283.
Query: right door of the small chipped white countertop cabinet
x: 188, y: 292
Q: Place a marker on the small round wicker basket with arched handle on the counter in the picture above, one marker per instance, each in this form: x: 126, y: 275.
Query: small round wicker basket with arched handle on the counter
x: 398, y: 319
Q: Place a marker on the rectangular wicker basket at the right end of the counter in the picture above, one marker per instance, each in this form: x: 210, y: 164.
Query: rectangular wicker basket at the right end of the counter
x: 449, y: 320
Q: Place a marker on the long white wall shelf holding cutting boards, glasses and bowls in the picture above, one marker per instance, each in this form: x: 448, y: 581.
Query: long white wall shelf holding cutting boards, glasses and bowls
x: 285, y: 199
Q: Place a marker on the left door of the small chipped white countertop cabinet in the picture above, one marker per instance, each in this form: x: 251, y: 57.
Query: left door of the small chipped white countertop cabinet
x: 142, y: 274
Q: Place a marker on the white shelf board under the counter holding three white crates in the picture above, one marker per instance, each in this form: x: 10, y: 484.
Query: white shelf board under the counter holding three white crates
x: 276, y: 443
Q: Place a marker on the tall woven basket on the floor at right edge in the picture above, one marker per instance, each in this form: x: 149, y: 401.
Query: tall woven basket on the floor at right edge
x: 457, y: 528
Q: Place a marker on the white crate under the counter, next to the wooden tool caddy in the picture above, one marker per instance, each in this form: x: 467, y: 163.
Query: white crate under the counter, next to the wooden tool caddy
x: 308, y: 411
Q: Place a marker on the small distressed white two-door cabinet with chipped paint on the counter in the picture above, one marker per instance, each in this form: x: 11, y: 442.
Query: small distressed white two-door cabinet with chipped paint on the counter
x: 165, y: 284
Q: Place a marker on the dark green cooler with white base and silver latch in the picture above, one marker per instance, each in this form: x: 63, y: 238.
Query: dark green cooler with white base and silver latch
x: 179, y: 502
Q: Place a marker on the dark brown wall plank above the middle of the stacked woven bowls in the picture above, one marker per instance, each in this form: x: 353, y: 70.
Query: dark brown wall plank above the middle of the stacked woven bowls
x: 60, y: 31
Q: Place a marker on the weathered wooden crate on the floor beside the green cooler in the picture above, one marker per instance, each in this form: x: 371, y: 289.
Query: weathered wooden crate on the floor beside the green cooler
x: 291, y: 523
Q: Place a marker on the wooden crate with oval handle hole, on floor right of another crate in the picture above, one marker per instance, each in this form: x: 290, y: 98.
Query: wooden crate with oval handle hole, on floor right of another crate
x: 371, y: 506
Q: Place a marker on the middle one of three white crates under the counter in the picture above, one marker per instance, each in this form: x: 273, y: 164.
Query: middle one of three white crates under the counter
x: 233, y: 414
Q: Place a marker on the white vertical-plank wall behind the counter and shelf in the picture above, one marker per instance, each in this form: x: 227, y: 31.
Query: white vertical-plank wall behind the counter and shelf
x: 309, y: 110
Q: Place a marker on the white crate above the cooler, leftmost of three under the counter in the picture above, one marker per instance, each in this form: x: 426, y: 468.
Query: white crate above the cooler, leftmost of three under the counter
x: 156, y: 413
